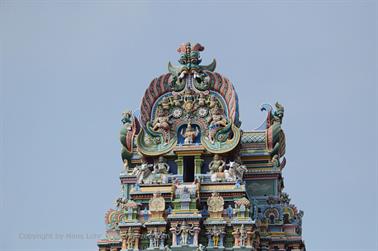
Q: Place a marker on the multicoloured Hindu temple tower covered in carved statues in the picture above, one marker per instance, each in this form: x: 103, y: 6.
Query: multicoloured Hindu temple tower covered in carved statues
x: 192, y: 178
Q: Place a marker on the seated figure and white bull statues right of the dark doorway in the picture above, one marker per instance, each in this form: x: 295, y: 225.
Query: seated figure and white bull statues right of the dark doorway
x: 219, y: 173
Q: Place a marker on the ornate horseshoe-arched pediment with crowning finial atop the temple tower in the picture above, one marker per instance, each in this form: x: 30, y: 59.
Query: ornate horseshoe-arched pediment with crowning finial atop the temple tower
x: 190, y: 105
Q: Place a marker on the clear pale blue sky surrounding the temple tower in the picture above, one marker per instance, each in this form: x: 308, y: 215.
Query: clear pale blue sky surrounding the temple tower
x: 68, y: 70
